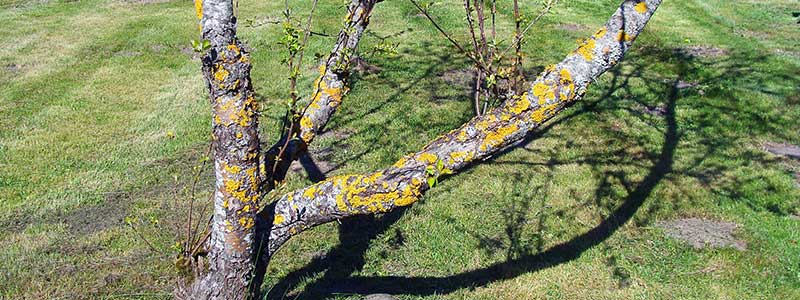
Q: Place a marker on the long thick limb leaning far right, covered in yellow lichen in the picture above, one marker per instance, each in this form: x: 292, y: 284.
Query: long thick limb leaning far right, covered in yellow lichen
x: 404, y: 183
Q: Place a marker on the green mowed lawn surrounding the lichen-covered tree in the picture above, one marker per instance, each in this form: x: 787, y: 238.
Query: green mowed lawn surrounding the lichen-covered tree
x: 104, y: 127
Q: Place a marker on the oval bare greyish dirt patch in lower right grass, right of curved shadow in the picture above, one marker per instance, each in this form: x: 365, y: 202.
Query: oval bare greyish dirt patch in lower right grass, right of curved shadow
x: 703, y: 233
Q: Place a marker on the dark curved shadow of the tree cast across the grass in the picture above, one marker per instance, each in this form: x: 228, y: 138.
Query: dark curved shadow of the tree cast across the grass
x: 348, y: 258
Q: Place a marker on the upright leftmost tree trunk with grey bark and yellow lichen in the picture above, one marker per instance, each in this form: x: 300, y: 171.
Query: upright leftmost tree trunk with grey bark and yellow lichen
x: 226, y: 69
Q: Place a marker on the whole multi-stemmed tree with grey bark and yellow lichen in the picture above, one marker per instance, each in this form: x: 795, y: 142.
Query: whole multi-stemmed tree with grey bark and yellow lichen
x: 245, y: 233
